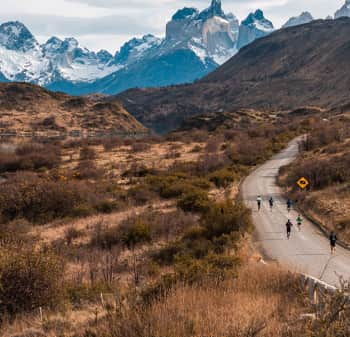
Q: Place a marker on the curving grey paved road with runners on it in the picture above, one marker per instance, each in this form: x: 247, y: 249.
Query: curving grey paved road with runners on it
x: 307, y: 251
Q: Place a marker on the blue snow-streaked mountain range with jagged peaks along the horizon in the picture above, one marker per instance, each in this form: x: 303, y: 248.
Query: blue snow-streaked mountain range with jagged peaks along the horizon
x: 196, y: 43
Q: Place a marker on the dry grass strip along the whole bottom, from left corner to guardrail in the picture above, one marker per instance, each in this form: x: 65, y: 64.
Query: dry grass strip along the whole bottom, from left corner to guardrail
x: 262, y: 301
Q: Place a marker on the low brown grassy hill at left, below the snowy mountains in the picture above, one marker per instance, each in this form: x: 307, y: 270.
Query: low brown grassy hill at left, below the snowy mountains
x: 25, y: 108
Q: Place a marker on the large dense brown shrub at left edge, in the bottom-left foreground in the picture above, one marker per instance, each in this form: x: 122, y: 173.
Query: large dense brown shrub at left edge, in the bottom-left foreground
x: 29, y: 280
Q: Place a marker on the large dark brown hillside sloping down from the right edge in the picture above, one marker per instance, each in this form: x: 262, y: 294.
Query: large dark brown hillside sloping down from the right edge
x: 300, y: 66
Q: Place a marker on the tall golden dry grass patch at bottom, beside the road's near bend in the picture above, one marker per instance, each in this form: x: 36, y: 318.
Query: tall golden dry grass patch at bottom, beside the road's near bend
x: 260, y: 302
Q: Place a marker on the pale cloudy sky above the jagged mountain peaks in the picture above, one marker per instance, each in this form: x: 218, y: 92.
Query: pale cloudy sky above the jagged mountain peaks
x: 107, y: 24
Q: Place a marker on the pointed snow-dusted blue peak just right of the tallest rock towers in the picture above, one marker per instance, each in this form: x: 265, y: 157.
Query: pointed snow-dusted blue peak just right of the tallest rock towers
x: 253, y: 27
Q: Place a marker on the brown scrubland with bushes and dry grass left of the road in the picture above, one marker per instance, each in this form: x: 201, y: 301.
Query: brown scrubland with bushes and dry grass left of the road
x: 127, y: 237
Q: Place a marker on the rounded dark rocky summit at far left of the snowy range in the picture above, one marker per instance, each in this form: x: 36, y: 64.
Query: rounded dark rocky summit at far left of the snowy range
x: 14, y: 35
